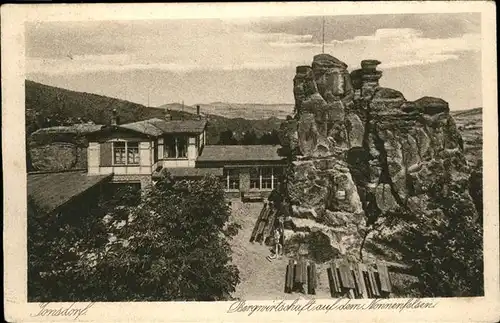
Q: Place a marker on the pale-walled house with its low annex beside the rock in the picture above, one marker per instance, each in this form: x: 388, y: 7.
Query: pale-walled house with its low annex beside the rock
x: 140, y: 152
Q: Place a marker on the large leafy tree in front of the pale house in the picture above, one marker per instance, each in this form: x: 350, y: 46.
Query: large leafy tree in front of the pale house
x: 172, y: 246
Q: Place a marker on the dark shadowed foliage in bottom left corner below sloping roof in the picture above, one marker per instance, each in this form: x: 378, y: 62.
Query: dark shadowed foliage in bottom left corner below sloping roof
x: 59, y: 251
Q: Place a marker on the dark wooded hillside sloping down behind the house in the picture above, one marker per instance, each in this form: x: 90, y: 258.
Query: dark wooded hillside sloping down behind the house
x: 48, y: 106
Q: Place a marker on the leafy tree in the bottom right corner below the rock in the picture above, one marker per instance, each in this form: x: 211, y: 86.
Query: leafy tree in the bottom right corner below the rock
x: 443, y: 247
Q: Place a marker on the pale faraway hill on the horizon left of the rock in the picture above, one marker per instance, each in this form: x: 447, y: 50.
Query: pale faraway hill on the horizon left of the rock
x: 249, y: 111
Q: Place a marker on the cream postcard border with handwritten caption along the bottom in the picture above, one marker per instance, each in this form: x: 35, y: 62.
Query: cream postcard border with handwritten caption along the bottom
x: 14, y: 170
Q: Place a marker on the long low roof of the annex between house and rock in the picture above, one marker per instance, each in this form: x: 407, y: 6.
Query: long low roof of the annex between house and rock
x: 240, y: 153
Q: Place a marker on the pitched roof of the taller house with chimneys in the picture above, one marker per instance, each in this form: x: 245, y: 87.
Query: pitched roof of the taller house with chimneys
x: 157, y: 127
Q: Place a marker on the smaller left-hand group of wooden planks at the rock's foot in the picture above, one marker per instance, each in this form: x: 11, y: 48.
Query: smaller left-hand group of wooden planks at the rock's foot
x: 300, y: 277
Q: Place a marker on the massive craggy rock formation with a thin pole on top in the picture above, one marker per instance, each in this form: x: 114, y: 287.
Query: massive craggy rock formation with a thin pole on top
x: 359, y: 151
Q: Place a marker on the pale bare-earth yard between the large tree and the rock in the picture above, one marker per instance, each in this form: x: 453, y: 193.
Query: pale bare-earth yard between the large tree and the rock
x: 261, y: 279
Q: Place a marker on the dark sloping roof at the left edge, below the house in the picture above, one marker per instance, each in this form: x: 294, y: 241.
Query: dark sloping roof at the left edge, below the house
x: 51, y: 190
